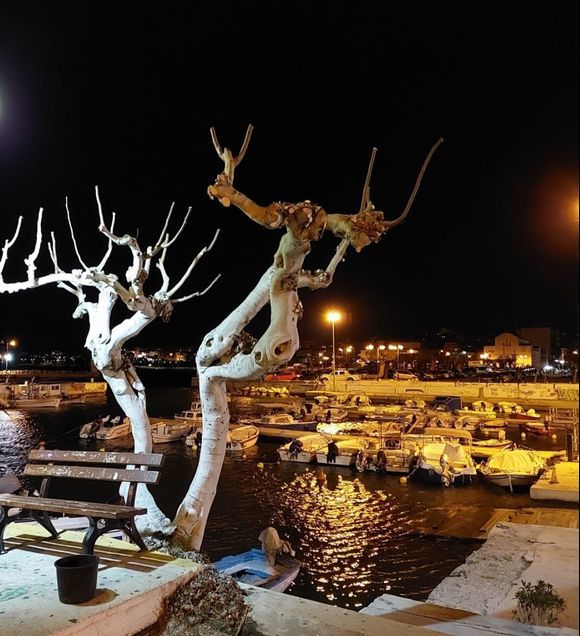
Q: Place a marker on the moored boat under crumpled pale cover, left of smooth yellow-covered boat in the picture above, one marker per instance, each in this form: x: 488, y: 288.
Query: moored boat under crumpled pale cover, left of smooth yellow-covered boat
x: 446, y: 461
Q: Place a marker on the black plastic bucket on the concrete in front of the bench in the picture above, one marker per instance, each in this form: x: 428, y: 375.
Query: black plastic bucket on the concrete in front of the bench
x: 76, y: 577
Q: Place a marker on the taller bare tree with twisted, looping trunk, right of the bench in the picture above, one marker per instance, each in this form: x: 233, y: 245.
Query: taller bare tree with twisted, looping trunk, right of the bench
x: 228, y: 352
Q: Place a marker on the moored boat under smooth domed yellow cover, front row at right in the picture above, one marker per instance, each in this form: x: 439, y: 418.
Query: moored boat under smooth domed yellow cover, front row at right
x: 513, y: 467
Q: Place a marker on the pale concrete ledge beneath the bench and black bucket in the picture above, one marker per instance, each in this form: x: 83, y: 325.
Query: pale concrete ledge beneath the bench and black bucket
x: 131, y: 585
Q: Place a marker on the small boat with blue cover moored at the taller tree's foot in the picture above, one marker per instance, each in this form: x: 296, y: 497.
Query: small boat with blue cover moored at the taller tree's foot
x: 252, y: 567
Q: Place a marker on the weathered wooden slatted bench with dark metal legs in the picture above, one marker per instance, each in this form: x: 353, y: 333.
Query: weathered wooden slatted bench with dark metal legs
x: 90, y: 465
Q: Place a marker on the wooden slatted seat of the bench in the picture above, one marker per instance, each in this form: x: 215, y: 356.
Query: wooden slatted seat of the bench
x: 78, y: 508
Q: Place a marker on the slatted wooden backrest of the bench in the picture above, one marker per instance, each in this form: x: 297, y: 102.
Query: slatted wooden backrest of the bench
x: 94, y: 465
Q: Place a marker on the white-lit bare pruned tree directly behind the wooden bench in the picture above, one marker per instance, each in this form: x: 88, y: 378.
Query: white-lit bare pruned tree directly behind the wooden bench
x: 104, y: 341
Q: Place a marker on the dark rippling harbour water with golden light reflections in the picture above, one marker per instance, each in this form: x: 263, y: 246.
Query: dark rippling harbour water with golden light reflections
x: 356, y: 535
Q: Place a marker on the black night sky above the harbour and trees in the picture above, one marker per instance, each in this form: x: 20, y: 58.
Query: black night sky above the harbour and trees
x: 123, y: 97
